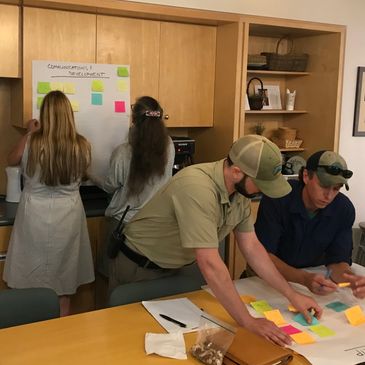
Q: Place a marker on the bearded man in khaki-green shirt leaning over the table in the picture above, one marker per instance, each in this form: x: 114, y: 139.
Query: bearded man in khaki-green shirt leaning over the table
x: 188, y: 217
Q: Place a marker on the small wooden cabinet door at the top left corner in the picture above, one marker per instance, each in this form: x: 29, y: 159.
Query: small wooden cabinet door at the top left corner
x: 9, y: 41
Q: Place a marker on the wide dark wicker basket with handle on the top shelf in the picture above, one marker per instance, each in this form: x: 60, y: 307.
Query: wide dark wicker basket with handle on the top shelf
x: 286, y: 62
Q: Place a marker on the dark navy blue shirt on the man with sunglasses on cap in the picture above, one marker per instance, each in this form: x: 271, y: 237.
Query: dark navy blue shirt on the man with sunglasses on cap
x: 286, y: 230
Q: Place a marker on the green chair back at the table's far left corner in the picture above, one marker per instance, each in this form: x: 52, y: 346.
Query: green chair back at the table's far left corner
x: 22, y: 306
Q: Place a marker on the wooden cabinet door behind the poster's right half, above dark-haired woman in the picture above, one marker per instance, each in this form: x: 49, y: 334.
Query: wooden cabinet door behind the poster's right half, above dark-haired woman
x: 133, y: 42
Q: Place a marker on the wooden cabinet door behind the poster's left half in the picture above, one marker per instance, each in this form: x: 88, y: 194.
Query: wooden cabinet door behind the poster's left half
x: 58, y: 36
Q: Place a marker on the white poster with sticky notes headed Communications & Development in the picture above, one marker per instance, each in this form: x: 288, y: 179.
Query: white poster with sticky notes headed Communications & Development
x: 100, y: 98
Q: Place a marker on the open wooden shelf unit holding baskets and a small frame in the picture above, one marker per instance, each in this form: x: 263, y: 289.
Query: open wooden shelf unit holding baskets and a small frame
x: 317, y: 105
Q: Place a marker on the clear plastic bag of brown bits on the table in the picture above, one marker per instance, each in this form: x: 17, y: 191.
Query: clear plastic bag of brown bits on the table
x: 213, y: 340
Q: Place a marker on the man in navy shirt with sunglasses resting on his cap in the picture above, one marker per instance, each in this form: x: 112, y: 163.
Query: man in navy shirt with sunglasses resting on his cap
x: 312, y: 226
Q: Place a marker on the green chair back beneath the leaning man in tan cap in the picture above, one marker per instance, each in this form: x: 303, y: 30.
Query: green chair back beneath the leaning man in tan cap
x: 188, y: 279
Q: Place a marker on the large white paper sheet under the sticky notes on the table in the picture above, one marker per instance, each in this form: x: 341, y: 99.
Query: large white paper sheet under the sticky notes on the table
x: 347, y: 347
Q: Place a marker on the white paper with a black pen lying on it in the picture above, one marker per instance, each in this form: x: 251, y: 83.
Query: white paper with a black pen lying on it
x: 181, y: 309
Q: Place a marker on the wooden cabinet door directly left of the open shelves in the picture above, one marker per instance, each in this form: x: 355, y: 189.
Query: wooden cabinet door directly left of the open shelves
x: 187, y: 68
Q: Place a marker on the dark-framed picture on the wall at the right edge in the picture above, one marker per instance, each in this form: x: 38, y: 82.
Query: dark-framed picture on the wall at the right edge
x: 359, y: 117
